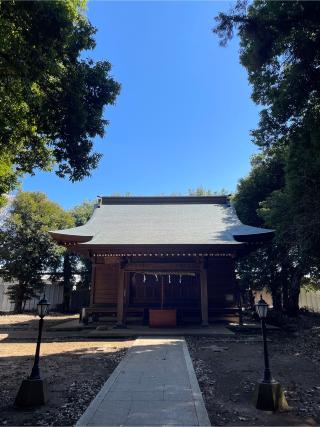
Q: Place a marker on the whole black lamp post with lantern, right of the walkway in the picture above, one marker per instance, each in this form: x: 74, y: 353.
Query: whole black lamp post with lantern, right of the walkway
x: 268, y: 393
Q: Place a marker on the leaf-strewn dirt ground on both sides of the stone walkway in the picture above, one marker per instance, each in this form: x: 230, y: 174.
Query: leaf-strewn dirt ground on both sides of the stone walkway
x: 227, y: 370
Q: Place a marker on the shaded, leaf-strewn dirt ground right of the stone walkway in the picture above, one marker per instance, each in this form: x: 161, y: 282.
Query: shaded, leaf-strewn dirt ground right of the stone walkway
x: 228, y: 370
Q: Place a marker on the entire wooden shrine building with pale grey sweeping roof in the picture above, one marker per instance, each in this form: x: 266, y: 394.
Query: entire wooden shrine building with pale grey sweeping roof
x: 163, y: 260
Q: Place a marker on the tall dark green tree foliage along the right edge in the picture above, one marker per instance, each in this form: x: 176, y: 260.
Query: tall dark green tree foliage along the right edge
x: 280, y: 48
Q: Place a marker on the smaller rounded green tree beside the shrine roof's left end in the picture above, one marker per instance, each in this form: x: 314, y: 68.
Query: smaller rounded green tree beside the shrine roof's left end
x: 26, y: 248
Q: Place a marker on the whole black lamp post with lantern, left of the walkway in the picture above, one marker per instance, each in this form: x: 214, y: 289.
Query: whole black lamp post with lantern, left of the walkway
x: 33, y: 390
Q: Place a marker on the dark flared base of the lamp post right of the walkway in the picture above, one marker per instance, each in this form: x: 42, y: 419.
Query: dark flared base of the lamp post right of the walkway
x: 270, y: 397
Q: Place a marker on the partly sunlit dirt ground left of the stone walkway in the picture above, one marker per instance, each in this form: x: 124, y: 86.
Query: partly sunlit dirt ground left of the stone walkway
x: 75, y: 370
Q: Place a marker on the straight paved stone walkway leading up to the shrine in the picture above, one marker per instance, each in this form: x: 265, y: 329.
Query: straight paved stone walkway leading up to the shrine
x: 154, y: 385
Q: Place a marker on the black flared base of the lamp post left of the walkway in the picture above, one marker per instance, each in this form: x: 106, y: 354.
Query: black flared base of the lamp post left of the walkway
x: 32, y: 393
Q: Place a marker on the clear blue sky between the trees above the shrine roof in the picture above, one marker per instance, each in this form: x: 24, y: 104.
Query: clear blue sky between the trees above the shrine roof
x: 184, y: 114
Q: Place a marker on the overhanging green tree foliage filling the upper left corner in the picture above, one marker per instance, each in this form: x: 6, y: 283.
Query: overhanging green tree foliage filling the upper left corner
x: 51, y: 100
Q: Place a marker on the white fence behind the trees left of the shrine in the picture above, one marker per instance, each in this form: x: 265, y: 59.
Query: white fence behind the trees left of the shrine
x: 53, y: 291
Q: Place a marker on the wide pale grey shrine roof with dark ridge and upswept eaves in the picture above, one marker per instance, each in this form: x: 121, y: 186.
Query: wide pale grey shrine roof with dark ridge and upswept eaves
x: 147, y: 221
